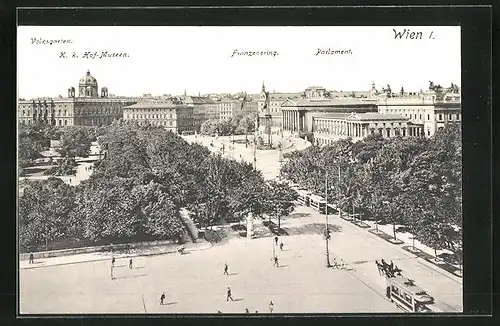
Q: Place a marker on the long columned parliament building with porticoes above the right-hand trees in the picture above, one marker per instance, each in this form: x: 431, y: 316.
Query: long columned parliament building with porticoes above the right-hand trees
x: 331, y: 115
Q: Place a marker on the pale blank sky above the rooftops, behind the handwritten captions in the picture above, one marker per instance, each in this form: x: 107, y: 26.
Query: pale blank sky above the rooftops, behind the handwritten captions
x: 199, y: 59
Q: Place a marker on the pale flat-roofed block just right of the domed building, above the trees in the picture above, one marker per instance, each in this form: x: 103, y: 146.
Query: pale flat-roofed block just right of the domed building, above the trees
x: 172, y: 115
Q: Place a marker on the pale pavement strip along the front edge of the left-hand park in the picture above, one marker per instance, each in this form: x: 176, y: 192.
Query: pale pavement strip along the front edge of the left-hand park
x: 100, y: 256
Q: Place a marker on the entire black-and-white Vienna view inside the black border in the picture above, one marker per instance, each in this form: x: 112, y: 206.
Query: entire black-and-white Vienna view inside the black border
x: 260, y: 170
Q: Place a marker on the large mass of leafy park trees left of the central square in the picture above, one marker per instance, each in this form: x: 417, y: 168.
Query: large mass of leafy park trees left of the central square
x: 137, y: 191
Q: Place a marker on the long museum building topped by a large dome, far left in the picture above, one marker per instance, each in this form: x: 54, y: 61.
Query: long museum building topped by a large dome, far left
x: 88, y: 109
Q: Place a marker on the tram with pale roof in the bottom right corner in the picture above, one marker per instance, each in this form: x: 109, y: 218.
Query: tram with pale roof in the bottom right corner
x: 411, y: 298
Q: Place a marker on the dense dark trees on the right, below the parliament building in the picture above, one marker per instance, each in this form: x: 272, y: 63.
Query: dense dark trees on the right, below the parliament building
x: 412, y: 181
